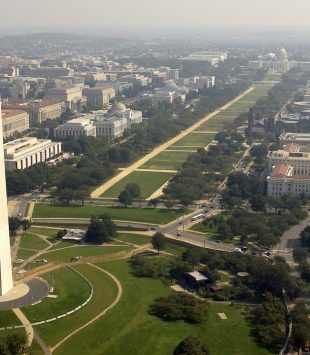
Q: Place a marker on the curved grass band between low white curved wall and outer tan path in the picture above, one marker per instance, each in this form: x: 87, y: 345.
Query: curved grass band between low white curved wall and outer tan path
x: 104, y: 294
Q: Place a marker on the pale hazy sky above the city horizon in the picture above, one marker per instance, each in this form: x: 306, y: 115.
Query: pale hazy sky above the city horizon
x: 87, y: 14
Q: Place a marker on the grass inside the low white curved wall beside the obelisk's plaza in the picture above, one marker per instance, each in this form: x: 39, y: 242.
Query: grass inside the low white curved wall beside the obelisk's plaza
x: 72, y: 290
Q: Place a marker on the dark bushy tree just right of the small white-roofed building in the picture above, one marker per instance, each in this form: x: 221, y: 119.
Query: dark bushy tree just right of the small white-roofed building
x: 100, y: 230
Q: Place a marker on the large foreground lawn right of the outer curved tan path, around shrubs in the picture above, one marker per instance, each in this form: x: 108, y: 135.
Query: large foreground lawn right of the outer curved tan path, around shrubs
x: 129, y: 326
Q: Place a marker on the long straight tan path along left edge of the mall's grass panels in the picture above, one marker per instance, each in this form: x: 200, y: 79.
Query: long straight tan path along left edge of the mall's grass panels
x: 104, y: 187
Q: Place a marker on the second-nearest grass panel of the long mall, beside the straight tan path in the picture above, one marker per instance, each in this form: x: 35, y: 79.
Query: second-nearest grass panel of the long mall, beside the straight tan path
x: 167, y: 160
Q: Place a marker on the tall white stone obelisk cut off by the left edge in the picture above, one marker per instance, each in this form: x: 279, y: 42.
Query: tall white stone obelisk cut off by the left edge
x: 6, y: 279
